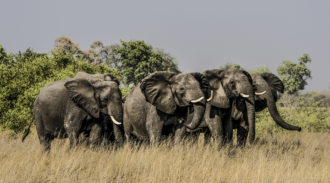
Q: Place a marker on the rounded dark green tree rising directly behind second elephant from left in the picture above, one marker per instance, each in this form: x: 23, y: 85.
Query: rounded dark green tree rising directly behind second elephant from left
x: 138, y: 60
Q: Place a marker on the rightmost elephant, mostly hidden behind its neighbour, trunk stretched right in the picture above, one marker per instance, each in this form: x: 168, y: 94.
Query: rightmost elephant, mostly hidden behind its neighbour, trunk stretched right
x: 267, y: 85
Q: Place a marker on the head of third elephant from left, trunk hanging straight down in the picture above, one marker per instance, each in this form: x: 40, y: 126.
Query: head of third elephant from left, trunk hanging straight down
x: 229, y: 85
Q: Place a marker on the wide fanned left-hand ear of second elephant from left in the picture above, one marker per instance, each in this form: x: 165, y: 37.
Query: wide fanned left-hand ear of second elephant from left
x: 157, y: 90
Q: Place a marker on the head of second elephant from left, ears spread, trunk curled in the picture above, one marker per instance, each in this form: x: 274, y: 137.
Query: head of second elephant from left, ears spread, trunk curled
x: 171, y: 93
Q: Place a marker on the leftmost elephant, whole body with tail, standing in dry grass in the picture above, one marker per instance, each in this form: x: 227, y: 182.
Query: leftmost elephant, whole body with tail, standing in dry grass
x: 82, y: 104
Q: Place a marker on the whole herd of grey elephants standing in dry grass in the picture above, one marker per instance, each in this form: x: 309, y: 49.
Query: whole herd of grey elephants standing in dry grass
x: 163, y: 105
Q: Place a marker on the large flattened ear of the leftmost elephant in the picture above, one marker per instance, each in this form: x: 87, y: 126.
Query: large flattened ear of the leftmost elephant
x: 82, y: 93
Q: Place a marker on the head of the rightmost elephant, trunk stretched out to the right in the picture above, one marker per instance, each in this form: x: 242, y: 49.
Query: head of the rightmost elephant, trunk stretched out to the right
x: 267, y: 85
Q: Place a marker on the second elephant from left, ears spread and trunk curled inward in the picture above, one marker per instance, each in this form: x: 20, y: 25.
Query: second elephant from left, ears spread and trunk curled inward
x: 159, y: 102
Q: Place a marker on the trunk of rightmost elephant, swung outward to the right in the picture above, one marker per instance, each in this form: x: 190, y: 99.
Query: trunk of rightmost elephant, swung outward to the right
x: 276, y: 116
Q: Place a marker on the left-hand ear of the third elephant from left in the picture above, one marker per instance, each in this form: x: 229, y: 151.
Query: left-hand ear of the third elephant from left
x: 219, y: 97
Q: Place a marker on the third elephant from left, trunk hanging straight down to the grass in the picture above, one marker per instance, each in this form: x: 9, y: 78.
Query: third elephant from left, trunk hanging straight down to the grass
x: 226, y: 86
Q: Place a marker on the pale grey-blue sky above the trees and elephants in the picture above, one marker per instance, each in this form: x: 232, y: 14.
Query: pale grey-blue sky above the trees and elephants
x: 199, y: 34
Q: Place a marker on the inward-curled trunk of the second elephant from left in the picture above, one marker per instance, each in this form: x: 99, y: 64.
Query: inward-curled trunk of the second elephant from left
x: 193, y: 123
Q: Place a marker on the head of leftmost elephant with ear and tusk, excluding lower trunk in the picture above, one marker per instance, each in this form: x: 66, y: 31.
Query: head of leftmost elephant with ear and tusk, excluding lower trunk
x: 95, y: 94
